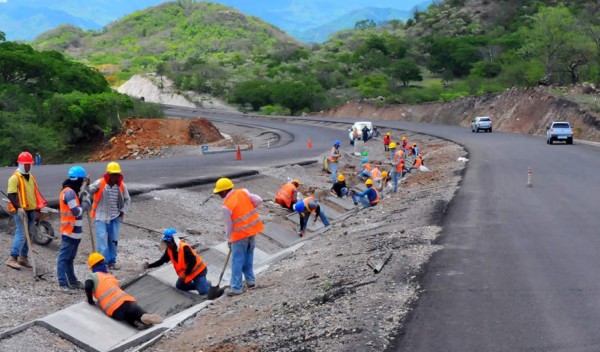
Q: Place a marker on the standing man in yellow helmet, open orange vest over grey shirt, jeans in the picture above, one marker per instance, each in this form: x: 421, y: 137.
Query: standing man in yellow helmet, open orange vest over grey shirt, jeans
x: 111, y: 202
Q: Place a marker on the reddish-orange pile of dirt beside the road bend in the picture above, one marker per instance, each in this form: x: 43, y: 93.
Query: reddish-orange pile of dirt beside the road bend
x: 145, y: 138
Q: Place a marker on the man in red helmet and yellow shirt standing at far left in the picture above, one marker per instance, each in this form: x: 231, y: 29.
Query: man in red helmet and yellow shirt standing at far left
x: 24, y: 198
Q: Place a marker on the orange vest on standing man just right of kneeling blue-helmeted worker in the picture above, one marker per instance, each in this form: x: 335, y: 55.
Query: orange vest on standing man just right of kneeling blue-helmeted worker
x: 246, y: 222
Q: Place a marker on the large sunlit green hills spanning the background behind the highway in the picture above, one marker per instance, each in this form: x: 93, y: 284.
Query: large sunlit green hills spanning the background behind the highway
x: 455, y: 48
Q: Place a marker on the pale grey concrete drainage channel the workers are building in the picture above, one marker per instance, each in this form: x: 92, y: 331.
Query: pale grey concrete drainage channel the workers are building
x: 88, y: 328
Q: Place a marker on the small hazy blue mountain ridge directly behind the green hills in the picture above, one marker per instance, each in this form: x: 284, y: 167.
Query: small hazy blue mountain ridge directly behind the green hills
x: 379, y: 15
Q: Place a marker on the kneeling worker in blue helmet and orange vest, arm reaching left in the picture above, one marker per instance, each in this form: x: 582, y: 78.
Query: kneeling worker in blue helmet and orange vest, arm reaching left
x: 189, y: 266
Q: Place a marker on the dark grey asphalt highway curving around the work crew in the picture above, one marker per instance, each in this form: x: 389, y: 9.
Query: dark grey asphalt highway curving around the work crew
x: 518, y: 268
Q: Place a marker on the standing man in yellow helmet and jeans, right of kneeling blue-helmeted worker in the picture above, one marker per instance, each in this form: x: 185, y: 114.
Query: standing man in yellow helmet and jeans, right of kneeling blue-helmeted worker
x: 242, y: 224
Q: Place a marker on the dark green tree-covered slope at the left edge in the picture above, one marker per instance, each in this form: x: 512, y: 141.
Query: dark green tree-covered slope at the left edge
x: 52, y: 105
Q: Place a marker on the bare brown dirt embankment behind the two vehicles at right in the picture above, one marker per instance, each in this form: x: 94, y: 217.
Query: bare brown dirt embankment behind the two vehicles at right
x: 516, y: 110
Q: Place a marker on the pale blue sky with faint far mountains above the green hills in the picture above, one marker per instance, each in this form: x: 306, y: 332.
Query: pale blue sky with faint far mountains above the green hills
x: 293, y: 16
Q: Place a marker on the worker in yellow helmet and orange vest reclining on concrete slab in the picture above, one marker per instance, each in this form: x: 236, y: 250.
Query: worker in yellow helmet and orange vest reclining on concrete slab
x: 112, y: 299
